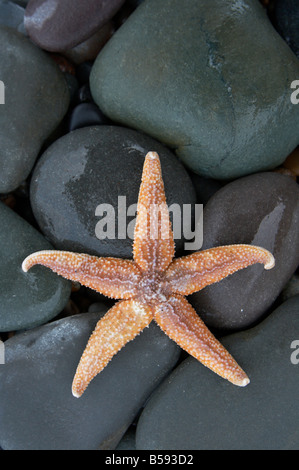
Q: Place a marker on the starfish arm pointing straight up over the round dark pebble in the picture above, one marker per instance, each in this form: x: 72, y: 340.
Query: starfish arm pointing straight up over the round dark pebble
x: 153, y: 239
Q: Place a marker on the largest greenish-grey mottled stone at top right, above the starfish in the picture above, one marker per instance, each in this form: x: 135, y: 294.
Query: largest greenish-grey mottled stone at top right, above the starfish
x: 216, y: 87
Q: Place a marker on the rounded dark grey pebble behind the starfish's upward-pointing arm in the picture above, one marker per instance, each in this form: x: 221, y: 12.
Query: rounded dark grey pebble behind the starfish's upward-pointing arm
x: 92, y: 167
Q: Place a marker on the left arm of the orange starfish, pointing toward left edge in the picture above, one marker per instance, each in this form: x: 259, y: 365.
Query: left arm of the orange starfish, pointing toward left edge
x: 116, y: 278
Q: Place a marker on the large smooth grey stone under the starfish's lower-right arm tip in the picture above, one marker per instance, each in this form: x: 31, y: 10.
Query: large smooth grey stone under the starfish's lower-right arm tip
x: 196, y: 409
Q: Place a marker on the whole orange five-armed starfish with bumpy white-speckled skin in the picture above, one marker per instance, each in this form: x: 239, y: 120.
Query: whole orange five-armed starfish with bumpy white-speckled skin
x: 153, y: 286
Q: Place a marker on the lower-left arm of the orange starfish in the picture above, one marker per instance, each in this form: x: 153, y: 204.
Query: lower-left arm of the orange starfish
x: 121, y: 324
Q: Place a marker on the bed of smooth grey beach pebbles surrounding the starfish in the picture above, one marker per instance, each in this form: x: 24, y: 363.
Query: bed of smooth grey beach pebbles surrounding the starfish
x: 88, y: 91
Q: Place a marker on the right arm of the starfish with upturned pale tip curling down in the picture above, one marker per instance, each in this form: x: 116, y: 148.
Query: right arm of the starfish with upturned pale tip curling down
x: 194, y: 272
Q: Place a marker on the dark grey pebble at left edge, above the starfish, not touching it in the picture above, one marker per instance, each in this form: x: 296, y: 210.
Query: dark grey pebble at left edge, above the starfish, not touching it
x: 35, y: 104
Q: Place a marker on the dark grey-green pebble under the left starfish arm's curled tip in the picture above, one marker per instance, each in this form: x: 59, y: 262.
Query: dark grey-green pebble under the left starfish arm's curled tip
x: 26, y: 299
